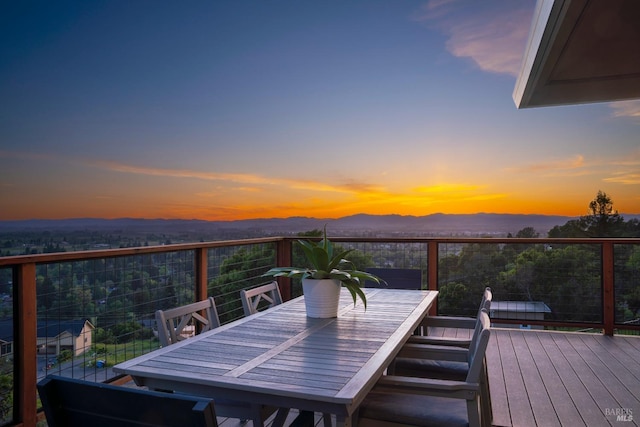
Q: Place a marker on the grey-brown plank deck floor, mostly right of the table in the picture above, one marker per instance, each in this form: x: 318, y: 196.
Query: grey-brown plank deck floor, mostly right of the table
x: 546, y: 379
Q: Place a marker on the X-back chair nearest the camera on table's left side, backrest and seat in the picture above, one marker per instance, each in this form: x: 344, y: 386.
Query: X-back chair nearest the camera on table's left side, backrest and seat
x: 180, y: 323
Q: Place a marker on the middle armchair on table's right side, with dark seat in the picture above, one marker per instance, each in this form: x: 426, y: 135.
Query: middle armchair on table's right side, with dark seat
x: 446, y: 363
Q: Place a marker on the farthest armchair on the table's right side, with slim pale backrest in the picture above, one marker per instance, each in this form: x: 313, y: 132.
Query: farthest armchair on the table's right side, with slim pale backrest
x: 454, y: 322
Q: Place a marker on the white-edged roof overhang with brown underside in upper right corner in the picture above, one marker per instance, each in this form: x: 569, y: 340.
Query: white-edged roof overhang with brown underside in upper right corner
x: 581, y: 51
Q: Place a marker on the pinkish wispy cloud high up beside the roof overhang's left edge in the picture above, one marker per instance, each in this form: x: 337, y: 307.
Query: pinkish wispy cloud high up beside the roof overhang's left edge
x: 494, y: 40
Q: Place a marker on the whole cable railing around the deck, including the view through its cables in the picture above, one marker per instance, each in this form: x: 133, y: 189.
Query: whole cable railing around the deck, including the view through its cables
x: 79, y: 313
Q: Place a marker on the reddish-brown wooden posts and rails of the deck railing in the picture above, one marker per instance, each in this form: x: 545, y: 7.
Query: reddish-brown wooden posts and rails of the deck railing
x: 25, y: 310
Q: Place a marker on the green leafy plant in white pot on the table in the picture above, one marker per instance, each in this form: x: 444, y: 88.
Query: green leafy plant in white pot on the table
x: 328, y: 270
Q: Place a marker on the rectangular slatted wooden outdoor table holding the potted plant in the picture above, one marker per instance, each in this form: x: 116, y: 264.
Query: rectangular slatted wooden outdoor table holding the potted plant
x: 281, y: 357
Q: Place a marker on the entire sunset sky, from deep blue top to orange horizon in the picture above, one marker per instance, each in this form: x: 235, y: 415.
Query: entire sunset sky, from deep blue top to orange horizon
x: 224, y: 110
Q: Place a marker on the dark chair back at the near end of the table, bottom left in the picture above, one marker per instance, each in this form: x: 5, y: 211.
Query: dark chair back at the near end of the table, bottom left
x: 69, y: 402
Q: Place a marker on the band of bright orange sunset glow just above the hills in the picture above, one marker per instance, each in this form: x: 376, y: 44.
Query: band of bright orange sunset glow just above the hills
x: 259, y: 203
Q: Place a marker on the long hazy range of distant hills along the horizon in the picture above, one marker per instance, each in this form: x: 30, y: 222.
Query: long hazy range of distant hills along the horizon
x: 356, y: 225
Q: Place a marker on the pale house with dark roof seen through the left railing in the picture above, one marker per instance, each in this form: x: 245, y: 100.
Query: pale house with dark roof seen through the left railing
x: 73, y: 335
